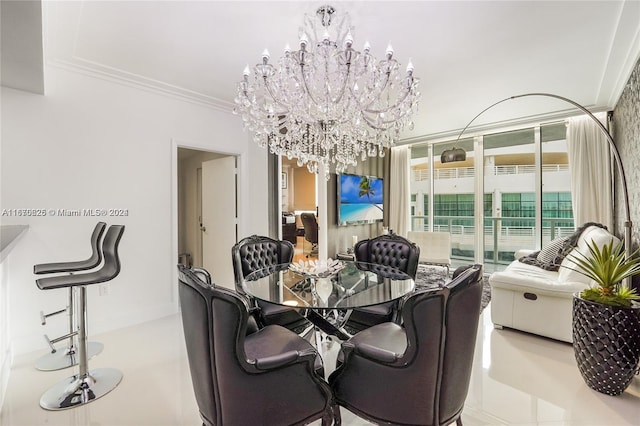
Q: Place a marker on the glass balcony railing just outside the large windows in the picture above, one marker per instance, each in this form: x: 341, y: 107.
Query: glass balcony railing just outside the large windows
x: 502, y: 236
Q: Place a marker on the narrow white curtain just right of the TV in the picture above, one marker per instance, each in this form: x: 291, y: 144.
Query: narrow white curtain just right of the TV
x: 399, y: 213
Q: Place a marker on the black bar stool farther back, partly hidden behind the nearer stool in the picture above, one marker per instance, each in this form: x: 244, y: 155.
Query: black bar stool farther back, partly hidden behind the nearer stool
x: 59, y: 359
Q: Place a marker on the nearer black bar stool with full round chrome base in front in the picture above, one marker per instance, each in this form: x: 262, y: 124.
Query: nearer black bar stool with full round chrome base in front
x: 86, y: 386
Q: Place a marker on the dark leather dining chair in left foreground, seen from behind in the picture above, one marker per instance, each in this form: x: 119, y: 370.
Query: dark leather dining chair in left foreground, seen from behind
x: 267, y: 377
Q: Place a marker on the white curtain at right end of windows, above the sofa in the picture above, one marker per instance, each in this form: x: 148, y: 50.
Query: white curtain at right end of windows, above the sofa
x: 591, y: 172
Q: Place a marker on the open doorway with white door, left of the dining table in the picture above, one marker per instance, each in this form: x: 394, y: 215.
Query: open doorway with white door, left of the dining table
x: 207, y: 211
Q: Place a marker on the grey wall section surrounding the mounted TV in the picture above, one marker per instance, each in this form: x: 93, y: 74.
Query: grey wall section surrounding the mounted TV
x: 341, y: 237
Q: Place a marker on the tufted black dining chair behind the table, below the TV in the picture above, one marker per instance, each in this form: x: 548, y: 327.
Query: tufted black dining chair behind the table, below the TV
x: 384, y: 255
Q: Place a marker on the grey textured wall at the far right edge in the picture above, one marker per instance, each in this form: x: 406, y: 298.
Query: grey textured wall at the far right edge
x: 626, y: 125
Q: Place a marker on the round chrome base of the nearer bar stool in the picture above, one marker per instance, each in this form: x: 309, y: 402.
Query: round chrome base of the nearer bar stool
x: 77, y: 390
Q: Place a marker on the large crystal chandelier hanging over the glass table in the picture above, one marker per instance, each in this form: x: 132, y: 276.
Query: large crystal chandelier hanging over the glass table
x: 327, y: 102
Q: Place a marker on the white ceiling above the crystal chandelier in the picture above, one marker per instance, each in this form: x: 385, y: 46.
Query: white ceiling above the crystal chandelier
x: 467, y: 54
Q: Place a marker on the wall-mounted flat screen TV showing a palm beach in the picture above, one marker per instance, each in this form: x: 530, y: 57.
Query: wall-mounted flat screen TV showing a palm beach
x: 360, y: 199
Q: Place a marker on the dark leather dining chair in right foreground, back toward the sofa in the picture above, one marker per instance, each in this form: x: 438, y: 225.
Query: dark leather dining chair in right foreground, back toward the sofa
x: 417, y: 373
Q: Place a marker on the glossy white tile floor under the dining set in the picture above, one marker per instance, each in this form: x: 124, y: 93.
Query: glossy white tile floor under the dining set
x: 517, y: 379
